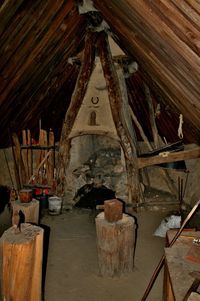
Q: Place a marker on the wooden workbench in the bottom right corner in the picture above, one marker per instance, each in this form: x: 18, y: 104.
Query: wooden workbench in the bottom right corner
x: 177, y: 280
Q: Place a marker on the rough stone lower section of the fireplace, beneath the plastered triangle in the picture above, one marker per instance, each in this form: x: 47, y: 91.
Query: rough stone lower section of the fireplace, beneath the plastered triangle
x: 98, y: 160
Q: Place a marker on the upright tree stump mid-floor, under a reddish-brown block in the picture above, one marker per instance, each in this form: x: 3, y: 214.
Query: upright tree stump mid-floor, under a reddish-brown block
x: 115, y: 245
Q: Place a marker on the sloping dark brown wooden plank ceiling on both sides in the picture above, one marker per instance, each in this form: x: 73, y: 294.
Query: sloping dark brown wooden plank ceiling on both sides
x: 38, y: 40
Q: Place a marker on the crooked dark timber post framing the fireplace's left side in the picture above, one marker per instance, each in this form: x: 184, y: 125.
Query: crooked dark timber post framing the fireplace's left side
x: 76, y: 101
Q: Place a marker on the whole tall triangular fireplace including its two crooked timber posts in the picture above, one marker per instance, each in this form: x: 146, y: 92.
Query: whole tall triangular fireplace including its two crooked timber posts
x: 96, y: 145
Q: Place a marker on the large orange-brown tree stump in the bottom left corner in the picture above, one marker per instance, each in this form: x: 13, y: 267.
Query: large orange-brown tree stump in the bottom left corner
x: 21, y: 260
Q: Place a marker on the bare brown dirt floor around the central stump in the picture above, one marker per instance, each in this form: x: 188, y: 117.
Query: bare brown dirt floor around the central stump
x: 72, y: 269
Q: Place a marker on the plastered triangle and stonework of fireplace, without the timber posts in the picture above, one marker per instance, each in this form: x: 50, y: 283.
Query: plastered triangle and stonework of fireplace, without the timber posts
x: 95, y: 155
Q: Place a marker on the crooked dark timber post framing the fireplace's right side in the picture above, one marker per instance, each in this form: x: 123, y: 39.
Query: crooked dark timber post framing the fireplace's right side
x: 116, y: 101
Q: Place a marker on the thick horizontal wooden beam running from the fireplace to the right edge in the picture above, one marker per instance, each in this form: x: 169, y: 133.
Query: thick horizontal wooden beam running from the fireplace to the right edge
x: 165, y: 157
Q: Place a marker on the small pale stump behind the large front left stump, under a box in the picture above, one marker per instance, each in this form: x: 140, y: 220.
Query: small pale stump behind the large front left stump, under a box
x: 30, y: 211
